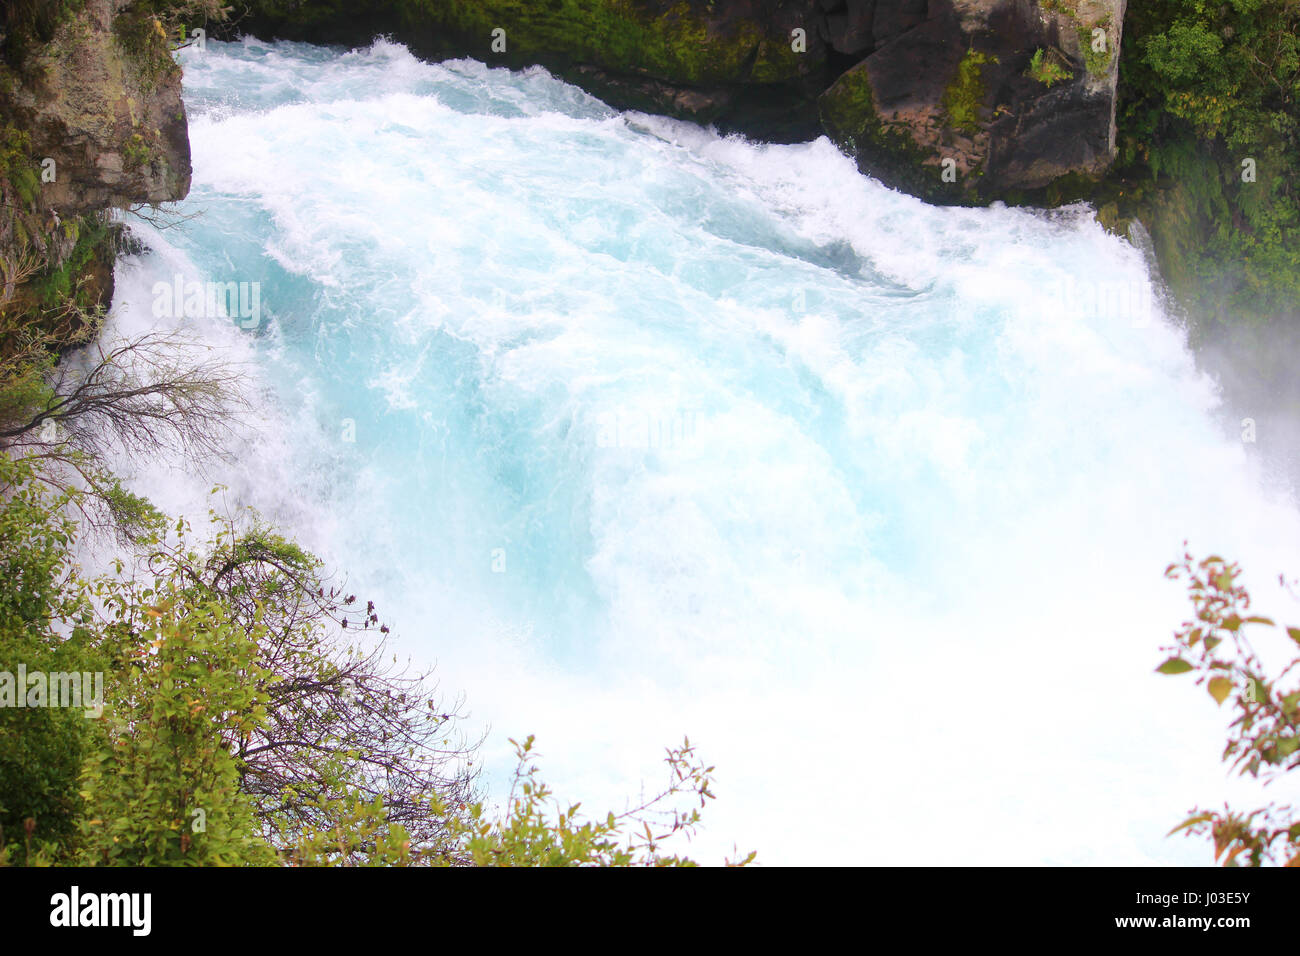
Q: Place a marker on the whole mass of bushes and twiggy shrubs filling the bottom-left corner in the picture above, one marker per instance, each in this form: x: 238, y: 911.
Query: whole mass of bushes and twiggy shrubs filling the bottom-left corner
x: 214, y: 656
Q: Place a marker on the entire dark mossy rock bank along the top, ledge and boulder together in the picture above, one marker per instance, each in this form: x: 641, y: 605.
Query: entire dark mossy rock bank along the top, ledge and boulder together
x: 960, y: 101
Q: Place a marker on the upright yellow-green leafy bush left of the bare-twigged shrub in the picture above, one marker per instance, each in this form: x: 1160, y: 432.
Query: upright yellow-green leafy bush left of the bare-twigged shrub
x: 164, y: 789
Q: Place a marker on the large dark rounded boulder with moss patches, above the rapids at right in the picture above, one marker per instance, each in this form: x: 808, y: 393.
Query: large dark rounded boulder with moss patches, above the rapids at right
x: 983, y: 98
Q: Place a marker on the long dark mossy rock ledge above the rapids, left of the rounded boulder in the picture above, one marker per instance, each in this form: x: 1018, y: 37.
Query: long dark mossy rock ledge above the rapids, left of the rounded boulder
x: 731, y: 63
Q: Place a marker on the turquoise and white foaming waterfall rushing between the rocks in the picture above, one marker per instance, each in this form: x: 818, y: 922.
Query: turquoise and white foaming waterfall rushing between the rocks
x: 636, y: 432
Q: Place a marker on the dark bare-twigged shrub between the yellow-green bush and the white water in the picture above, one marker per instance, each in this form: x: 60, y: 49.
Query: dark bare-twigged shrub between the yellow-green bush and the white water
x: 345, y: 724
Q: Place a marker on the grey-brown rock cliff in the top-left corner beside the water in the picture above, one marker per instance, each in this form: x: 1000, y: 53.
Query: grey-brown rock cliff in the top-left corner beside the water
x: 90, y: 103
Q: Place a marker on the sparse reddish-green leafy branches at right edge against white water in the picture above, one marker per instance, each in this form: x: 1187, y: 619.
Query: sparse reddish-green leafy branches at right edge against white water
x: 1264, y: 739
